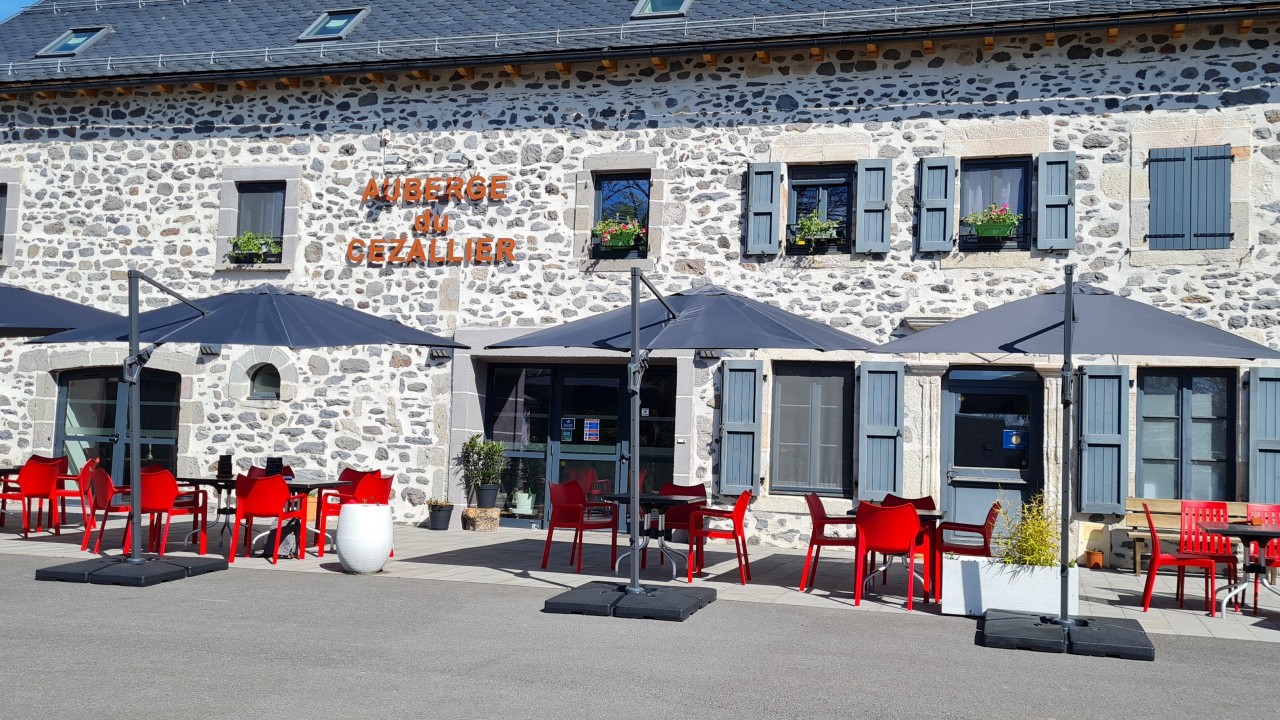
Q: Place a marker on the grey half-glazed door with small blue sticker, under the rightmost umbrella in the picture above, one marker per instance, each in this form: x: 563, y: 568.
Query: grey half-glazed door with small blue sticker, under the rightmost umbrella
x: 991, y: 431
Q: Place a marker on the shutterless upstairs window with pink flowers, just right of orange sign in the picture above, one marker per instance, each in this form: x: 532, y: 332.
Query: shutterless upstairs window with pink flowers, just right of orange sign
x: 621, y: 227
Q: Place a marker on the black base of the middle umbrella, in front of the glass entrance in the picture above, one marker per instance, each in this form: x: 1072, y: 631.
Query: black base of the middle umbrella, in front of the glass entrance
x: 651, y: 604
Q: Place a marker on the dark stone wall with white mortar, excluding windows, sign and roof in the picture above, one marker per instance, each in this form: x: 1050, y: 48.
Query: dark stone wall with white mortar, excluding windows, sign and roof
x: 113, y: 183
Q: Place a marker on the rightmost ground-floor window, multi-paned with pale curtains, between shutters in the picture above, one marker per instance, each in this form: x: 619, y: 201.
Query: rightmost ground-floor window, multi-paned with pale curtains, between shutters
x: 1187, y: 435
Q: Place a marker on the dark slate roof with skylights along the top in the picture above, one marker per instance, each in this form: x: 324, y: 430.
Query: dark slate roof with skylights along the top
x: 194, y: 40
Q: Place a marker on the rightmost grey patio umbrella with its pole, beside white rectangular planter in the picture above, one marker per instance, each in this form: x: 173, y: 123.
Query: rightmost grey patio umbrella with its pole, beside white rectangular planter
x: 1077, y: 318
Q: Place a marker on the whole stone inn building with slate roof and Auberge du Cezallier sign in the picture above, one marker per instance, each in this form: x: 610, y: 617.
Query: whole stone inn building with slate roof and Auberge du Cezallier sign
x: 451, y: 168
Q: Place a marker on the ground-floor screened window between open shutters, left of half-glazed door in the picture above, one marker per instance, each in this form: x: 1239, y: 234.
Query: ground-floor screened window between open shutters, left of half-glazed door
x: 813, y: 409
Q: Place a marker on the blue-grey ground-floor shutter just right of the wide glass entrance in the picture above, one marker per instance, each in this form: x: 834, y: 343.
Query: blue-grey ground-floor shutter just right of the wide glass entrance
x: 742, y: 407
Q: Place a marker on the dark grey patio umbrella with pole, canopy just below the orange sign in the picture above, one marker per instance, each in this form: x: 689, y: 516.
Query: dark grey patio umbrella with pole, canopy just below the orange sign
x: 262, y: 316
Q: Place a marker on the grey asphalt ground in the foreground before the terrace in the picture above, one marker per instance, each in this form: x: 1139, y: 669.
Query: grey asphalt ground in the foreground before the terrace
x: 253, y: 644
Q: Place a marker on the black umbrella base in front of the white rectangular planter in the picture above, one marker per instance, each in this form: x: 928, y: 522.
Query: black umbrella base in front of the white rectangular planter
x: 1107, y: 637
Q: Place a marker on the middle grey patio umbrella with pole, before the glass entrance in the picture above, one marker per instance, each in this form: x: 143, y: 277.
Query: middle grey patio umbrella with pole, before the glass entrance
x: 710, y: 317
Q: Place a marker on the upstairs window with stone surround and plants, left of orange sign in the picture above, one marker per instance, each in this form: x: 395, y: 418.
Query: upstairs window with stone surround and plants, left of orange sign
x: 263, y: 202
